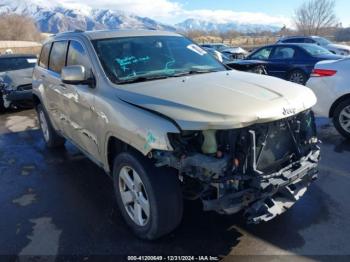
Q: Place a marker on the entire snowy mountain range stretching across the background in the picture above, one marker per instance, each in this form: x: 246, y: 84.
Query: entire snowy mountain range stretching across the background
x: 53, y: 17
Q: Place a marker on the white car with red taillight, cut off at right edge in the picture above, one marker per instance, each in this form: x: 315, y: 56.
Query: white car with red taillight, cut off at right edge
x: 330, y: 82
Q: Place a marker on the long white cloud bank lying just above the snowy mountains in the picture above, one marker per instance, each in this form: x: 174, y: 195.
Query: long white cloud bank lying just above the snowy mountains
x: 171, y: 12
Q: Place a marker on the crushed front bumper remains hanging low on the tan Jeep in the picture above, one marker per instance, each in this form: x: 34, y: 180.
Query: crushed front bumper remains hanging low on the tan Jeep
x: 270, y: 195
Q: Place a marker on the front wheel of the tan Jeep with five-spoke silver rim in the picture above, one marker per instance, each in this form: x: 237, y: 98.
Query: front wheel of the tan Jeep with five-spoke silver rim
x: 159, y: 192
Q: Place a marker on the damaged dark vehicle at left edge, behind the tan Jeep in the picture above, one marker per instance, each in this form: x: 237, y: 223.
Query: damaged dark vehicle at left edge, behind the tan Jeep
x: 16, y: 79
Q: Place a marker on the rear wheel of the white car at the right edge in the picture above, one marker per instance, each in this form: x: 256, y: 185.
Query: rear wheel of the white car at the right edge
x: 341, y: 118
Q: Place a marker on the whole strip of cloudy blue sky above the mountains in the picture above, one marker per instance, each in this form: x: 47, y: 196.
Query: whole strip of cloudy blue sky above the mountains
x: 276, y: 12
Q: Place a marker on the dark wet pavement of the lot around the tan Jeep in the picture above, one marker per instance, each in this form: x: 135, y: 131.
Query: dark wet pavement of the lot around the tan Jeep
x: 60, y: 203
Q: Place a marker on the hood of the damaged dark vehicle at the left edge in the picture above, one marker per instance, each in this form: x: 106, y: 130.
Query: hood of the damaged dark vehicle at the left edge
x: 17, y: 78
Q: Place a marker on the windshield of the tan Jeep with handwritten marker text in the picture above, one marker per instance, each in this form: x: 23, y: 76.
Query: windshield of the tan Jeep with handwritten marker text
x: 145, y: 58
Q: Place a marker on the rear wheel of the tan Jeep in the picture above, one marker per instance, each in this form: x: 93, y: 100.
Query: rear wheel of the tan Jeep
x: 51, y: 137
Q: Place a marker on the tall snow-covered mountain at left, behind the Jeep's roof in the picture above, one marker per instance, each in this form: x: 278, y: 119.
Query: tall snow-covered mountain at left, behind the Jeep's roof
x: 53, y: 17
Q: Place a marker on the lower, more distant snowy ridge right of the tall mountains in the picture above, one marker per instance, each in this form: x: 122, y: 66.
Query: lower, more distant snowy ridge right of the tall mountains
x: 204, y: 25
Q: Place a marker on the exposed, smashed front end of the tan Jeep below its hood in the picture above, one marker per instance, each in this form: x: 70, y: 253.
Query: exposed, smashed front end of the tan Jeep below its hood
x: 262, y: 169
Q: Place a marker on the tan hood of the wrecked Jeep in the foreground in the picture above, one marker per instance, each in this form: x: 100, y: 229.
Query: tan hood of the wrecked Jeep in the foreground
x: 221, y: 100
